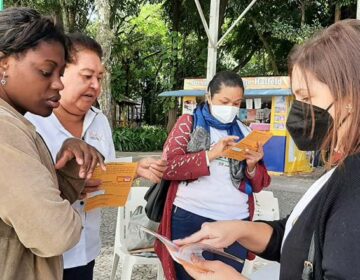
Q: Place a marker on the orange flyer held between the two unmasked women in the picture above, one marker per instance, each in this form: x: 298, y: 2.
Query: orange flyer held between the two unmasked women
x: 115, y: 187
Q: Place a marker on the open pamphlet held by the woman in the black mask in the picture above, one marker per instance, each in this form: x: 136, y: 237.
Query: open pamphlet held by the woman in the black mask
x: 184, y: 254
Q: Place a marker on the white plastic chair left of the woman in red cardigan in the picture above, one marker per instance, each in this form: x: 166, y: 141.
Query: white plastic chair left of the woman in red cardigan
x: 136, y: 198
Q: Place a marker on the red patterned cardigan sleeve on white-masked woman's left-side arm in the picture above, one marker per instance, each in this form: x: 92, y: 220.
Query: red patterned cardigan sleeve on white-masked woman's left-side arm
x: 182, y: 165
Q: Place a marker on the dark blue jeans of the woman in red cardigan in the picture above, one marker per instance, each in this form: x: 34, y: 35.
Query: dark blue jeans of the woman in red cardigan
x: 185, y: 223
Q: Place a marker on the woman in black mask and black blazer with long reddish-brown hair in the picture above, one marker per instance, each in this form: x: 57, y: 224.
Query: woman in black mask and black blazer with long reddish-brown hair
x: 321, y: 237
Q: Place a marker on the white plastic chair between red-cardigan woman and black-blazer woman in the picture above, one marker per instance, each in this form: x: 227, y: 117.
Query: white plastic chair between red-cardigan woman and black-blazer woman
x: 266, y: 209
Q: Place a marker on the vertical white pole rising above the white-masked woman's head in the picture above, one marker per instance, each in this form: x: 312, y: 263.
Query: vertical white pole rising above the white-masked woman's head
x: 214, y: 34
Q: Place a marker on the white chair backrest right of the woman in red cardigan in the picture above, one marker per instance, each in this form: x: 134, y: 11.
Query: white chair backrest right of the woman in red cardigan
x: 266, y: 206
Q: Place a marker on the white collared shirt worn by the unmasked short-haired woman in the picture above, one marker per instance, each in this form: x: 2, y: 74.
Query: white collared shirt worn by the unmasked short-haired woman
x: 96, y: 132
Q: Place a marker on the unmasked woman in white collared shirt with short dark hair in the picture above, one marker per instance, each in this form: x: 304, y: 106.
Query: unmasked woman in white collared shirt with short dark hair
x: 76, y: 117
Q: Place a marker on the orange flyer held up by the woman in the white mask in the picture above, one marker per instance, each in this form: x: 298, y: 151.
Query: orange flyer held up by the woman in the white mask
x: 250, y: 142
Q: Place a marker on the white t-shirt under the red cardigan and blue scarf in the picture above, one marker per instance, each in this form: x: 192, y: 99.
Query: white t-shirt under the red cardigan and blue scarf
x: 214, y: 196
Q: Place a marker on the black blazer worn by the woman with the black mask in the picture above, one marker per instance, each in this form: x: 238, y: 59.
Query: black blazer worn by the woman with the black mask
x: 334, y: 216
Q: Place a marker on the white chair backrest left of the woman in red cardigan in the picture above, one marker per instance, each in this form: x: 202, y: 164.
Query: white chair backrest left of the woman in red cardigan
x: 135, y: 199
